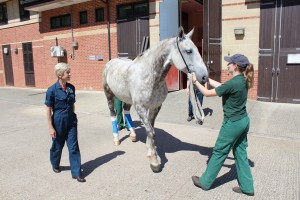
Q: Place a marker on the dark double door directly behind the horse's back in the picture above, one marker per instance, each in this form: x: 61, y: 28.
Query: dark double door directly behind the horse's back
x: 132, y: 29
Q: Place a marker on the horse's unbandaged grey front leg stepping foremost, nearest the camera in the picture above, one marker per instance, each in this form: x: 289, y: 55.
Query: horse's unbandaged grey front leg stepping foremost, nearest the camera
x: 155, y: 162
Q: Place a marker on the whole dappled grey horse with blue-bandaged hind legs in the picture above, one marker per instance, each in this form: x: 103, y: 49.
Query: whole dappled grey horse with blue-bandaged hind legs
x: 141, y: 83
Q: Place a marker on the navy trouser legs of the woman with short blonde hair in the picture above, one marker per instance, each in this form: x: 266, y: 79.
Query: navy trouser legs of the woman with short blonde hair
x: 68, y: 135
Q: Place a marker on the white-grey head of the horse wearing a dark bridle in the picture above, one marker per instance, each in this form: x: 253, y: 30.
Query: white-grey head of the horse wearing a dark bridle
x: 187, y: 58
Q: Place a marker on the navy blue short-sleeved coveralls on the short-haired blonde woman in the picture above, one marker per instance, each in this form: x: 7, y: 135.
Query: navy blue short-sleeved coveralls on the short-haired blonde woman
x: 64, y: 121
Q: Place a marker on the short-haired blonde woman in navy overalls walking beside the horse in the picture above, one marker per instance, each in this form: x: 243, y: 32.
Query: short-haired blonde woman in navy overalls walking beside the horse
x: 62, y: 121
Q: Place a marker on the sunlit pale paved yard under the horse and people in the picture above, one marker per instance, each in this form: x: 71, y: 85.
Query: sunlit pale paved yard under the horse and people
x: 123, y: 172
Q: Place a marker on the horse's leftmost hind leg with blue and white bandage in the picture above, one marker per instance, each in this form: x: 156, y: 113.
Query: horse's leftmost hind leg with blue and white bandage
x: 110, y: 101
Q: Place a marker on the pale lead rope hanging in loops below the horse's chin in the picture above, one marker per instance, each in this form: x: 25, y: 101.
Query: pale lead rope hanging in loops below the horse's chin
x: 197, y: 108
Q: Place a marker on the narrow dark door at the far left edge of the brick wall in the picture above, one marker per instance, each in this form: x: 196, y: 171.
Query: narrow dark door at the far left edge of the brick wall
x: 9, y: 75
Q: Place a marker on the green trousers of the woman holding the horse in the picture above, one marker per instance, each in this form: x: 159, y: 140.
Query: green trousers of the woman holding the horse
x: 233, y: 135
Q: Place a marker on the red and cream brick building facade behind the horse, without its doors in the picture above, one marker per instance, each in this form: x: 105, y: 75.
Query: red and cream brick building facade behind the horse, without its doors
x: 89, y: 57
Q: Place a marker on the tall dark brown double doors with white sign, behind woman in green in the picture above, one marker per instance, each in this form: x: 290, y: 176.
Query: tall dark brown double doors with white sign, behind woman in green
x: 279, y: 51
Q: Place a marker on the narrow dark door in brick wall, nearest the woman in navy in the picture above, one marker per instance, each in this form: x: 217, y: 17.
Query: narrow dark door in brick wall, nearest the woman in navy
x: 28, y: 64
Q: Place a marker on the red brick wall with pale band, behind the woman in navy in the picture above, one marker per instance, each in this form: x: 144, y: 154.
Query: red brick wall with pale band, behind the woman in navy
x: 85, y: 74
